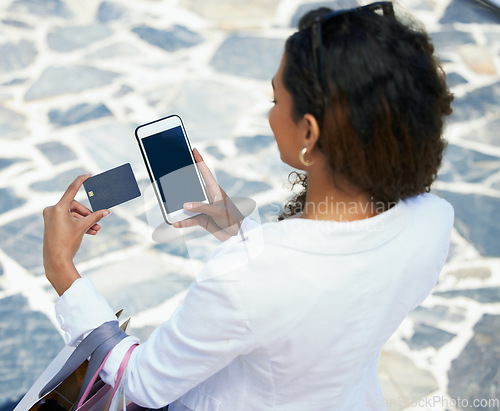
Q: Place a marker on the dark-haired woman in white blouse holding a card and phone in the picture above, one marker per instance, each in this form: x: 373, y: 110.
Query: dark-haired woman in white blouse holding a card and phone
x: 359, y: 107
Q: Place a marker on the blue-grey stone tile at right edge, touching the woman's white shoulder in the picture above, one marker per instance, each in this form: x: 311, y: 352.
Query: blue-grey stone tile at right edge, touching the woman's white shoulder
x: 476, y: 220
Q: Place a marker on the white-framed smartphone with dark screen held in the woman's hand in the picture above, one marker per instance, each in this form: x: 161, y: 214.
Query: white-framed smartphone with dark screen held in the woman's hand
x: 171, y: 166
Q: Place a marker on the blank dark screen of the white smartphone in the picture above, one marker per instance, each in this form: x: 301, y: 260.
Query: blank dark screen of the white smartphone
x: 173, y: 168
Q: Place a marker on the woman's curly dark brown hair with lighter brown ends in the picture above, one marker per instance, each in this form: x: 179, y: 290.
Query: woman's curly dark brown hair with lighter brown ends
x: 382, y: 129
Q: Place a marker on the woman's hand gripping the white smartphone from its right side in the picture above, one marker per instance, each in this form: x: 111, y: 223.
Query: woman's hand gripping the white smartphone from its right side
x: 221, y: 217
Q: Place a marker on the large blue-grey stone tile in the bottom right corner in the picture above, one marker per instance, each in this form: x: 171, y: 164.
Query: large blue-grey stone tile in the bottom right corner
x: 475, y: 374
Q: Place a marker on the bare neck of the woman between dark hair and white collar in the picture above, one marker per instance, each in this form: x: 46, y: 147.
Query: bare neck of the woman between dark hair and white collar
x: 334, y: 198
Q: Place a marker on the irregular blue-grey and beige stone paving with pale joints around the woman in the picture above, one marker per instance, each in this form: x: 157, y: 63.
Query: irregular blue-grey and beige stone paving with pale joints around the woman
x: 76, y: 78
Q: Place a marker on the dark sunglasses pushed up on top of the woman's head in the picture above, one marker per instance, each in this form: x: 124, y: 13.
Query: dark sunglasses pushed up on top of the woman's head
x: 317, y: 43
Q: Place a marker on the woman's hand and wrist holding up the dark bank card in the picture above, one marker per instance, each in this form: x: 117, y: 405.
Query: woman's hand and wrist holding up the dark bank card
x: 65, y: 225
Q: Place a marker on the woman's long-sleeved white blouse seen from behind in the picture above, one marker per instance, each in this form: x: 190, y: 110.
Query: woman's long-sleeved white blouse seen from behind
x: 292, y: 317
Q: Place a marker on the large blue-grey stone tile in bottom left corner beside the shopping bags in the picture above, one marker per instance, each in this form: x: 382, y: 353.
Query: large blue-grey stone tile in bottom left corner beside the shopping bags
x: 29, y: 343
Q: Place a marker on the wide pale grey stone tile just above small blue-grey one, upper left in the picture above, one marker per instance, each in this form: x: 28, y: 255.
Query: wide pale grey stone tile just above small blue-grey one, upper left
x: 66, y: 80
